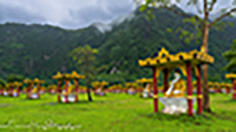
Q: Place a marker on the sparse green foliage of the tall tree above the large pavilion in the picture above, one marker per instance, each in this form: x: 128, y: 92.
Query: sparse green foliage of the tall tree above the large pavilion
x: 196, y: 21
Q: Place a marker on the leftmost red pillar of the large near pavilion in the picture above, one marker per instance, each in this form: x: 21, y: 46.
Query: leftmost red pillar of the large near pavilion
x: 155, y: 91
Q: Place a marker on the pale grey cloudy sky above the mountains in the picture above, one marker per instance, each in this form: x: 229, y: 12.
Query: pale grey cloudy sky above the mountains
x: 70, y: 14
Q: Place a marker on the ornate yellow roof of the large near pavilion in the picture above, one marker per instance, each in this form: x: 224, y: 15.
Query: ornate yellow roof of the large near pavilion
x: 167, y: 60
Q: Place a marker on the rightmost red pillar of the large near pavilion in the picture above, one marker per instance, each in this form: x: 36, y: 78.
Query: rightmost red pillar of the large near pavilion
x: 199, y: 90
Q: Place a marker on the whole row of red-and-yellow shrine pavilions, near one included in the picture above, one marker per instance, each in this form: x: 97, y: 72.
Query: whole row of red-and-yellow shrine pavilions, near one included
x: 186, y: 62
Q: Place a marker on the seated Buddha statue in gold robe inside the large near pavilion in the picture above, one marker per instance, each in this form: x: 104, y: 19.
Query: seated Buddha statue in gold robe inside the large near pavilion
x: 177, y: 87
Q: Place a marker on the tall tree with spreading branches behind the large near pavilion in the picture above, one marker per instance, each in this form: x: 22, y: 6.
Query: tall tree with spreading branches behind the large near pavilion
x: 201, y: 22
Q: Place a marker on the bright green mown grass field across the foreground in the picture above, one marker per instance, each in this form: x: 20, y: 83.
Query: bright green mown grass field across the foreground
x: 114, y: 112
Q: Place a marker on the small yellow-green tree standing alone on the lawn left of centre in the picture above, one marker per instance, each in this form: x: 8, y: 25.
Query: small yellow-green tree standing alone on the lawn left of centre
x: 85, y: 58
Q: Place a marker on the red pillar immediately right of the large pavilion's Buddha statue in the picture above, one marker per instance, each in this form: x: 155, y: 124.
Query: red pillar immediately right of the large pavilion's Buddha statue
x: 189, y: 90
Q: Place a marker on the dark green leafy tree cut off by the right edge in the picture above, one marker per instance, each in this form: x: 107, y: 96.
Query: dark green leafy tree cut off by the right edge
x: 230, y: 56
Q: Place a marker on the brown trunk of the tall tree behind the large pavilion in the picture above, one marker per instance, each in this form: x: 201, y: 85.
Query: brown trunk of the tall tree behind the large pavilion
x: 206, y: 98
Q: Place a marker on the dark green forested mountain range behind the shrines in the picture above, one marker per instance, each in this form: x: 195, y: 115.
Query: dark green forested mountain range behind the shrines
x: 41, y: 50
